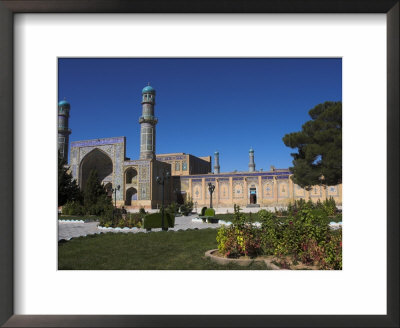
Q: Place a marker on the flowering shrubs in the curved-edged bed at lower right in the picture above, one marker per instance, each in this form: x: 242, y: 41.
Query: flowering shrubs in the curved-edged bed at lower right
x: 304, y: 236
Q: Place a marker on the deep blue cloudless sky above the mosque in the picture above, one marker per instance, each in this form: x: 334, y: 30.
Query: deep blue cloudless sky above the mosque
x: 202, y: 105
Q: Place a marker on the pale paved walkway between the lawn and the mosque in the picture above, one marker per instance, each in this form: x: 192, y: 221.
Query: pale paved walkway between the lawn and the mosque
x: 68, y: 230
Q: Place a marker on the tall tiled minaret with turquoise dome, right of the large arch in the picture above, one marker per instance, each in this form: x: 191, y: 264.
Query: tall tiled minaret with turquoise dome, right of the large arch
x: 148, y: 124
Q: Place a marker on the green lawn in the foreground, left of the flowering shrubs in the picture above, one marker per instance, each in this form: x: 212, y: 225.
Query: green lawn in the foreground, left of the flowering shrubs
x: 181, y: 250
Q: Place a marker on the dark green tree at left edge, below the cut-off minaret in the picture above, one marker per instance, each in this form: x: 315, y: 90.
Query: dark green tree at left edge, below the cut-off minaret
x: 68, y: 190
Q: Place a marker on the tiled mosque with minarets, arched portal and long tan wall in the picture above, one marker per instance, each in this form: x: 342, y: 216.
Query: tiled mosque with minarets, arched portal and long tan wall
x: 142, y: 182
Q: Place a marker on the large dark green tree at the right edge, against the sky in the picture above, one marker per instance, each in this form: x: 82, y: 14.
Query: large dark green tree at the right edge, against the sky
x: 319, y: 145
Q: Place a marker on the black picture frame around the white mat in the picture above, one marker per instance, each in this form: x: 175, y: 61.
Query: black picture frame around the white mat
x: 10, y: 7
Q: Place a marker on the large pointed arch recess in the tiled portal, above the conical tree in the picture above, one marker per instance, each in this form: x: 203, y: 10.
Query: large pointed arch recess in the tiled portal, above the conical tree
x: 95, y: 160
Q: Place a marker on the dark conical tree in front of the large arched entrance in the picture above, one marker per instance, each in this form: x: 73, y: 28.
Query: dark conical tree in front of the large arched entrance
x: 95, y: 197
